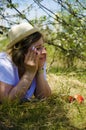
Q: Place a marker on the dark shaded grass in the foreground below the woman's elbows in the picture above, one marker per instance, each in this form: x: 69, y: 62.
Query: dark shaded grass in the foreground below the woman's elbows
x: 48, y: 114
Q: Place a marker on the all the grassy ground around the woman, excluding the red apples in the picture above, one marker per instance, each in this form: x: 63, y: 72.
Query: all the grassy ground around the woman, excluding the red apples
x: 54, y: 113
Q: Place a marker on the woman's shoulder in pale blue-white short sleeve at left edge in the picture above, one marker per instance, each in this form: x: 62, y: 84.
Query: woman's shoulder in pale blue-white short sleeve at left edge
x: 8, y: 71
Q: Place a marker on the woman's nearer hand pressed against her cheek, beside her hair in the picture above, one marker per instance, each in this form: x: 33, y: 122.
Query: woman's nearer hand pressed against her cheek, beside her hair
x: 31, y: 60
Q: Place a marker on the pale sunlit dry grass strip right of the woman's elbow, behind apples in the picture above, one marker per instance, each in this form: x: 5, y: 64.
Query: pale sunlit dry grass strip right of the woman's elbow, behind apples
x: 66, y: 84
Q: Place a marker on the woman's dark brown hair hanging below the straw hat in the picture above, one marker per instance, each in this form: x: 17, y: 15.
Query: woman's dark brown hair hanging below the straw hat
x: 19, y: 50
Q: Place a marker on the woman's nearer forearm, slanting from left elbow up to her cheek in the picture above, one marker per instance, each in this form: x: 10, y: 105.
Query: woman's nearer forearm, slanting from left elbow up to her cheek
x: 20, y: 89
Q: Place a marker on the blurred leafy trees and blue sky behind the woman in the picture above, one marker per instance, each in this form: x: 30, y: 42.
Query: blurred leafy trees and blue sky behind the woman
x: 64, y: 28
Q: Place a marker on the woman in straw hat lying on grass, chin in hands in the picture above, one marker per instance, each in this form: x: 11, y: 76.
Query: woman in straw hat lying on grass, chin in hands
x: 23, y: 66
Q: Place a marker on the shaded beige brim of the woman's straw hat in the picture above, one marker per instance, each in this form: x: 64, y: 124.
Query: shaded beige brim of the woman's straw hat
x: 21, y: 37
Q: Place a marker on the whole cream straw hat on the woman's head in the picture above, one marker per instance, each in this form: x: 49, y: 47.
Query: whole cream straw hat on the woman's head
x: 19, y: 32
